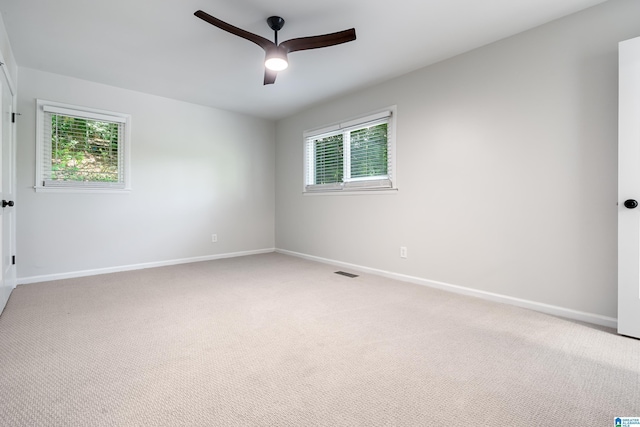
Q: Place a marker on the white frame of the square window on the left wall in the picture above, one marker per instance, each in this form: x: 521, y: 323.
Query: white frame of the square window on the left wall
x: 124, y: 149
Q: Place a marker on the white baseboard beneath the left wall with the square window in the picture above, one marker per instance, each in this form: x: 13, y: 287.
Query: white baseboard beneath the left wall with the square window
x: 84, y: 273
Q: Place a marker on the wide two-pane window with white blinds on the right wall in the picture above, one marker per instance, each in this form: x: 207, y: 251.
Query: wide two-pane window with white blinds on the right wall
x: 350, y: 156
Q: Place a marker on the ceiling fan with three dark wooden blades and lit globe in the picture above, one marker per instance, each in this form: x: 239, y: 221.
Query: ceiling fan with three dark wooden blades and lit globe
x: 276, y: 54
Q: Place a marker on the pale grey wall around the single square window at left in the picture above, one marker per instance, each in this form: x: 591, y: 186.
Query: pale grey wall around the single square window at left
x: 195, y: 171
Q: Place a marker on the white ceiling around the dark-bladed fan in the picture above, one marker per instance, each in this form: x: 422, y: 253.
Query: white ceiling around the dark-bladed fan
x: 160, y: 47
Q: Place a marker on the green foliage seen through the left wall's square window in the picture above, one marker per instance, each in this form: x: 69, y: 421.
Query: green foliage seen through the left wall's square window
x: 84, y: 149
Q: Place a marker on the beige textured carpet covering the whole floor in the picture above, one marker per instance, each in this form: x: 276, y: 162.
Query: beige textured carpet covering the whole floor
x: 272, y: 340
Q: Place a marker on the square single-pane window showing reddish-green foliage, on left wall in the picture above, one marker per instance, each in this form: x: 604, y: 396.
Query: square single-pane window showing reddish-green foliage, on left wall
x: 81, y: 149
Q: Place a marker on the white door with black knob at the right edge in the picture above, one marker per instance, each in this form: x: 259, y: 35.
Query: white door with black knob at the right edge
x: 629, y: 189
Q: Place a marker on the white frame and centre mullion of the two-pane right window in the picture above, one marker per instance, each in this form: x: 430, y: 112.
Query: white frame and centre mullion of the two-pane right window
x: 361, y: 185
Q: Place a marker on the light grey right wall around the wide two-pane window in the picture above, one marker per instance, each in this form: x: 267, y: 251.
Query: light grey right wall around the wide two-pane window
x: 506, y: 169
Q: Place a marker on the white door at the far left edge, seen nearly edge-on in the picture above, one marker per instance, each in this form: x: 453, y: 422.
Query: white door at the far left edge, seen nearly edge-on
x: 7, y: 238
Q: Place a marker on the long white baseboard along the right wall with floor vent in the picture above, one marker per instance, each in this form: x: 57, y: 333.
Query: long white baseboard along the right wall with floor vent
x: 568, y: 313
